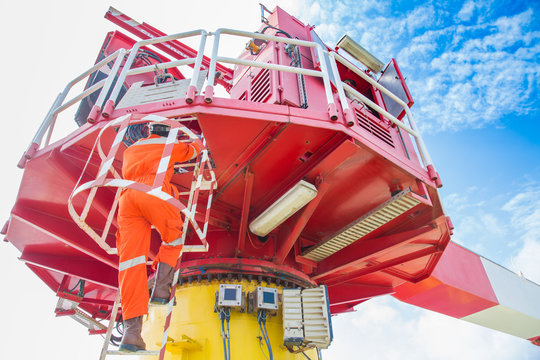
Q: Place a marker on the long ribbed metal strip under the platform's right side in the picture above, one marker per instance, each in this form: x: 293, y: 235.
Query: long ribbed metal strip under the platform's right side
x: 382, y: 214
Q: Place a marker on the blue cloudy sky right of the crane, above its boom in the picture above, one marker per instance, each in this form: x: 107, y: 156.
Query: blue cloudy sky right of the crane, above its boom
x: 472, y: 68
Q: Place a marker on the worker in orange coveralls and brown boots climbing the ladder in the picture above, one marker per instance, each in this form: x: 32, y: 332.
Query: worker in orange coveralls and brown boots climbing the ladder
x: 137, y: 212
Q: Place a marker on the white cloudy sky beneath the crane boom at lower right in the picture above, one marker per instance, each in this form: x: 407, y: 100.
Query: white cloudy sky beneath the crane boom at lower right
x: 383, y: 328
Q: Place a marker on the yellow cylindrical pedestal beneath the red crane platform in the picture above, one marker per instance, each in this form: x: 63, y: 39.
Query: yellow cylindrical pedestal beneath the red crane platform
x: 195, y: 330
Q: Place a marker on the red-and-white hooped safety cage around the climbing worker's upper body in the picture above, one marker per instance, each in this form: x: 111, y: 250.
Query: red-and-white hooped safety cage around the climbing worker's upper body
x: 106, y: 167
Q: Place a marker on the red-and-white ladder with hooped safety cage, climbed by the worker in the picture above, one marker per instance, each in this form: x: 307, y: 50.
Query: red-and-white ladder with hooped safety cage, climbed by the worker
x: 202, y: 165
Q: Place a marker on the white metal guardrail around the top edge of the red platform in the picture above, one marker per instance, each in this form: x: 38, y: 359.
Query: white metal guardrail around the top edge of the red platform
x: 327, y: 71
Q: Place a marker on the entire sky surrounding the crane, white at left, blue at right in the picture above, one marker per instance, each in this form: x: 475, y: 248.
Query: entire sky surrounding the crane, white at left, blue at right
x: 473, y: 71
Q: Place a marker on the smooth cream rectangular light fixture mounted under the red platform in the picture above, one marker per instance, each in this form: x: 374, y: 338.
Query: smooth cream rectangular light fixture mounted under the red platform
x: 283, y: 208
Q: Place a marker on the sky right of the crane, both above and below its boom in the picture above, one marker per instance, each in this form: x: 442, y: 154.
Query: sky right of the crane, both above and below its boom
x: 472, y: 68
